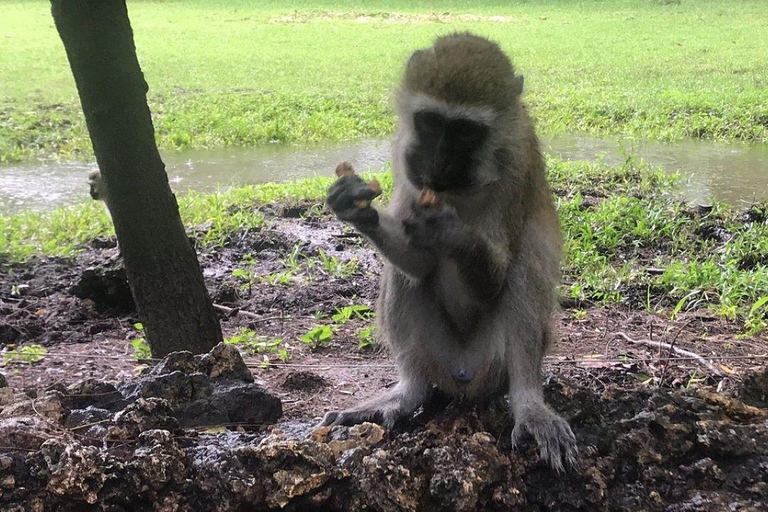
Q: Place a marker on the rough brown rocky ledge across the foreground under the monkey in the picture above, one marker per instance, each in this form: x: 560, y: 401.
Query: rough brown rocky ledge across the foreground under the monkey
x: 641, y: 449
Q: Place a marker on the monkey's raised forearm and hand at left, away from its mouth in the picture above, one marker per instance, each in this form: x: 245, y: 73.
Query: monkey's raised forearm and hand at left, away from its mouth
x: 381, y: 228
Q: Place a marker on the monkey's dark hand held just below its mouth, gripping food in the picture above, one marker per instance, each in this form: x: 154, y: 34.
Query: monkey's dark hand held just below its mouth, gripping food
x: 432, y: 228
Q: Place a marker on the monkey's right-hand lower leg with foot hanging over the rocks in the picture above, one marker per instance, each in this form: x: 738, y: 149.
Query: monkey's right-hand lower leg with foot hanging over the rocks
x: 557, y: 444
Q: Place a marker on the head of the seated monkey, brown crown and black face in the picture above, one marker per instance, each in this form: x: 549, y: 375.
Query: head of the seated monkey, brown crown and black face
x: 455, y: 104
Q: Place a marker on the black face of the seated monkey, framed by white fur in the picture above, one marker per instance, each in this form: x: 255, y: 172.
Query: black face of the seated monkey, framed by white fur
x: 445, y: 153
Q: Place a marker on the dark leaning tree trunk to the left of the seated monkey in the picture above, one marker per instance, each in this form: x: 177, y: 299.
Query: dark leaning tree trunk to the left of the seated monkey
x: 161, y: 265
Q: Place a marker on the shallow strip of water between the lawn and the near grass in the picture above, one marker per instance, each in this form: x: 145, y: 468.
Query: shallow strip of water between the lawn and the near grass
x: 730, y: 172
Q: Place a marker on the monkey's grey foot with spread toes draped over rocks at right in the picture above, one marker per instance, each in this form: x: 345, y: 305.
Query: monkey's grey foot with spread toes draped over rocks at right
x: 557, y: 444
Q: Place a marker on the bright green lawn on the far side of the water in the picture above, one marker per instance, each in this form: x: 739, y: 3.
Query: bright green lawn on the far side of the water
x: 237, y: 73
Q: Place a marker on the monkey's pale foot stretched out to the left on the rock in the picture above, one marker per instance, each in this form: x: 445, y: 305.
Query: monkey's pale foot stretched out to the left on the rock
x: 386, y: 409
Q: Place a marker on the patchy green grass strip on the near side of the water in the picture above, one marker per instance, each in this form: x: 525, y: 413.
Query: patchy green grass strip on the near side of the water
x: 618, y: 222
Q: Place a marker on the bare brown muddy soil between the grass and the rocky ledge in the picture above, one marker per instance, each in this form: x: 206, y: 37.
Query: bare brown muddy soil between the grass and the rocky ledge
x: 325, y: 266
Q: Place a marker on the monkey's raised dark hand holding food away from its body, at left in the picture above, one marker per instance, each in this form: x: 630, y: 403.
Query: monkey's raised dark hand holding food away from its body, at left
x: 345, y: 197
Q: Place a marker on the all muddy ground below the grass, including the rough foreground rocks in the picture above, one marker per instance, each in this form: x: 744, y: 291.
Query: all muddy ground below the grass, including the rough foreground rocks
x: 659, y: 433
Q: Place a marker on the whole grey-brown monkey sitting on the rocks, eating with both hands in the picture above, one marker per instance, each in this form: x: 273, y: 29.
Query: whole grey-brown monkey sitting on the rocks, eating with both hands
x: 471, y: 244
